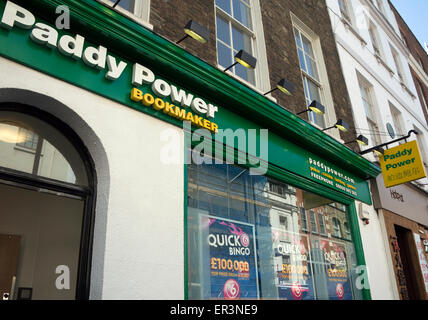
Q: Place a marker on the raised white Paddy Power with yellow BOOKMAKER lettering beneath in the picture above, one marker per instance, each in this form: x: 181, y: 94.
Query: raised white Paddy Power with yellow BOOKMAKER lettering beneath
x: 200, y: 114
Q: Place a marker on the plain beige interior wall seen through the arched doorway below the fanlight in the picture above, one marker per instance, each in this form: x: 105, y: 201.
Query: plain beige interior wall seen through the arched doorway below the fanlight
x: 50, y: 229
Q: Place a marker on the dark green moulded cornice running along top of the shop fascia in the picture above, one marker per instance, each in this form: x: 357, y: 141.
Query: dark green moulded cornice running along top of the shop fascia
x: 120, y: 34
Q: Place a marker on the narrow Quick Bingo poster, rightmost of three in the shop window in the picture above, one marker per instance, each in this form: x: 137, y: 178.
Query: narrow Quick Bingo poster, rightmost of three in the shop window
x: 338, y: 280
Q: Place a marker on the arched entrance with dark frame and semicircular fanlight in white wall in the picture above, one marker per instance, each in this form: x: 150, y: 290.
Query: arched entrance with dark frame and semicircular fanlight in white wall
x: 47, y: 188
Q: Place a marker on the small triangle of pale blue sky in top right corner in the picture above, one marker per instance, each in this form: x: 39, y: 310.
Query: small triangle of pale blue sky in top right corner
x: 415, y: 13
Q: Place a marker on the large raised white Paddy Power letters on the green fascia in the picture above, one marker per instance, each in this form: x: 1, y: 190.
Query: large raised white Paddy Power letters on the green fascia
x: 98, y: 57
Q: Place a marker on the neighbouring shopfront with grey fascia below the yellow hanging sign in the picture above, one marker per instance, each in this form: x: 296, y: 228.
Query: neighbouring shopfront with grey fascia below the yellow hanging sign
x: 404, y: 211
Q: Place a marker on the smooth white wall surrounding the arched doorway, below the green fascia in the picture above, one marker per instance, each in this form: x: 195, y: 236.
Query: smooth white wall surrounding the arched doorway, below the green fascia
x: 139, y: 220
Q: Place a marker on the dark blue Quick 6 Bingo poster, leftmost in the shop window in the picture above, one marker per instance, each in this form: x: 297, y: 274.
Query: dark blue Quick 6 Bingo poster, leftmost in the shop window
x: 232, y: 264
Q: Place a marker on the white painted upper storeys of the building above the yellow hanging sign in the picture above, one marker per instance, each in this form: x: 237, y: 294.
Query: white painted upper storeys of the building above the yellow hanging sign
x: 372, y: 53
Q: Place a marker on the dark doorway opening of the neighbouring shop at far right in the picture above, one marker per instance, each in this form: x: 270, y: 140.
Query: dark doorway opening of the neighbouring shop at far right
x: 406, y: 244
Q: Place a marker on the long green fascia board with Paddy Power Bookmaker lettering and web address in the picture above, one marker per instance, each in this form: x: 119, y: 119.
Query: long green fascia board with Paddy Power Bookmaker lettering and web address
x: 159, y: 92
